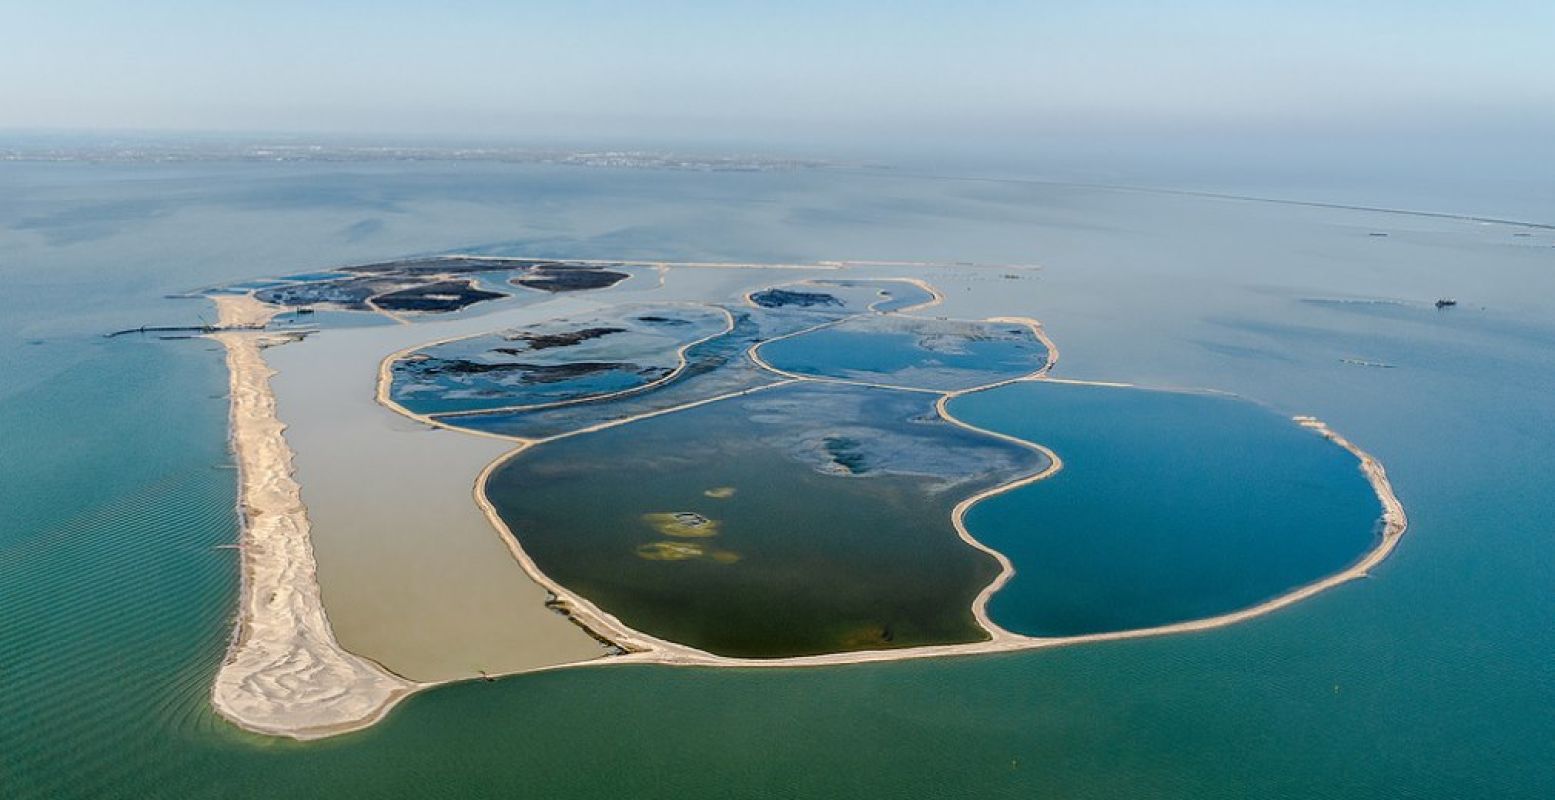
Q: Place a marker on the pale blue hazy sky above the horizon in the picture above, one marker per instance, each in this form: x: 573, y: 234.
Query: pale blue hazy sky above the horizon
x: 794, y: 68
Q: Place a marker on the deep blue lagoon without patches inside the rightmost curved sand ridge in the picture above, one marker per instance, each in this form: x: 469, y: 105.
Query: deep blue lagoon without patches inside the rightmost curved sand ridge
x: 1170, y: 507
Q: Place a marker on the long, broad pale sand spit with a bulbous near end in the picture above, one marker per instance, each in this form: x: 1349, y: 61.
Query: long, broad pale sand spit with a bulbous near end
x: 284, y: 673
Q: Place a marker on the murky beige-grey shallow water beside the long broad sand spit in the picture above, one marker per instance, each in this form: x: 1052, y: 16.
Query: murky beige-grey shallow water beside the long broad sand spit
x: 413, y: 577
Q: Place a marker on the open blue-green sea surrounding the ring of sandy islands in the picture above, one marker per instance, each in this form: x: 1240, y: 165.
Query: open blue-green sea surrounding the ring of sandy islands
x: 1430, y: 679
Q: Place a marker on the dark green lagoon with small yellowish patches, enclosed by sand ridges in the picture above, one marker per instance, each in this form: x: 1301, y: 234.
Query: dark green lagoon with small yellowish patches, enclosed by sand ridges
x: 837, y: 536
